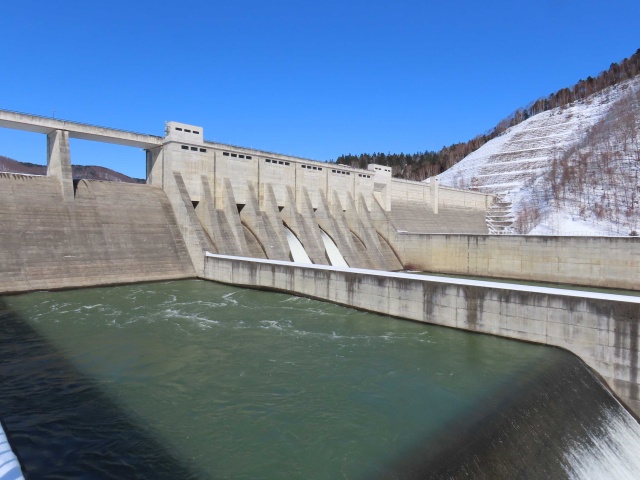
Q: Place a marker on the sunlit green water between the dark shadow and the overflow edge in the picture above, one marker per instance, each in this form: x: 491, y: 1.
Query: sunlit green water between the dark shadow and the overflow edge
x: 246, y: 384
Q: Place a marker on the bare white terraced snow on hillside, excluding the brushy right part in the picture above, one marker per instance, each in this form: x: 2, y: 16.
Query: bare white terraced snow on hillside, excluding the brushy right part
x: 516, y: 164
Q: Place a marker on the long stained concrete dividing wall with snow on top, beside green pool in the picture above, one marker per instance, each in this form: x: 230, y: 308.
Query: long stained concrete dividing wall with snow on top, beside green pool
x: 602, y: 330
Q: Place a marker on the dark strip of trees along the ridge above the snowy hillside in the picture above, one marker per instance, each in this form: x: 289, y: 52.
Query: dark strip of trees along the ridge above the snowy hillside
x: 421, y: 165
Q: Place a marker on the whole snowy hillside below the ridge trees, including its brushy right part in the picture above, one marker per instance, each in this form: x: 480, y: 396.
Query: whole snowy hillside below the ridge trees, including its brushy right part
x: 522, y: 165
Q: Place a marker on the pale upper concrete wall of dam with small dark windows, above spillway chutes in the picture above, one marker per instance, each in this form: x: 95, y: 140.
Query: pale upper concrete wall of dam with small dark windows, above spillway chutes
x: 186, y: 151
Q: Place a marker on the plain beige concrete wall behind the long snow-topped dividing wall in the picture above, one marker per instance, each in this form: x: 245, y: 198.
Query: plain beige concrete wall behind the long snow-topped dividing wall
x: 608, y: 262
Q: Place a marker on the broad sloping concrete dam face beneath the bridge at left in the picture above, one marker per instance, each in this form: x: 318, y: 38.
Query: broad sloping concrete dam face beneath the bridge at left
x: 109, y: 233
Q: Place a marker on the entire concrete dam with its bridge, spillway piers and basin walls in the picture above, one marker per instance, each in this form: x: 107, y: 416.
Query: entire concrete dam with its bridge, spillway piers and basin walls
x: 272, y: 221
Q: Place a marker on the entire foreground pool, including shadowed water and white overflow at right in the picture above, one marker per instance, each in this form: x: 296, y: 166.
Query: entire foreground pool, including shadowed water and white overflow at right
x: 194, y: 379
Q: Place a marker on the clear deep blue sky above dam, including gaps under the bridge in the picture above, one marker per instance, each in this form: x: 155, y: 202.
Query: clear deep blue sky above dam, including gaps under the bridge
x: 307, y: 78
